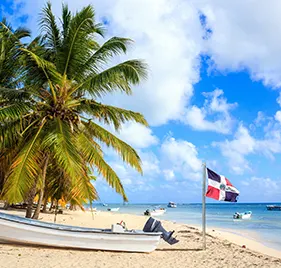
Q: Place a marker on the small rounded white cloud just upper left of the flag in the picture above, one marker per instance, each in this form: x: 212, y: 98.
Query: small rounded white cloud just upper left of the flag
x: 182, y: 157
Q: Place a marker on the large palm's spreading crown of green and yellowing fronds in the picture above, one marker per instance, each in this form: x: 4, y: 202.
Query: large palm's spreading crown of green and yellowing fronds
x: 56, y: 114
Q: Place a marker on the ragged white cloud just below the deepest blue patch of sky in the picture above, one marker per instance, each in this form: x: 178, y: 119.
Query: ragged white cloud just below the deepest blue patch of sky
x: 216, y: 106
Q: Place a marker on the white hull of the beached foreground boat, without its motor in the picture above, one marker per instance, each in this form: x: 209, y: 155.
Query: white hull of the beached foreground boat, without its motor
x: 97, y: 239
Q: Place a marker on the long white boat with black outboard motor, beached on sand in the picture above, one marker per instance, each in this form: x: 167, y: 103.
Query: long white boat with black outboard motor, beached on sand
x: 21, y: 230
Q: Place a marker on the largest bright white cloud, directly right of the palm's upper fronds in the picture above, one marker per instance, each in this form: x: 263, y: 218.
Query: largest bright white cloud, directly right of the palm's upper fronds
x: 169, y: 39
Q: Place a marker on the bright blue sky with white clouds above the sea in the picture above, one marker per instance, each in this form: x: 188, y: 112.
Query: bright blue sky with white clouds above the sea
x: 212, y: 94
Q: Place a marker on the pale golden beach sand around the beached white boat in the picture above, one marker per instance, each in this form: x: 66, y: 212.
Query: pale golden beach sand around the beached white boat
x: 224, y: 249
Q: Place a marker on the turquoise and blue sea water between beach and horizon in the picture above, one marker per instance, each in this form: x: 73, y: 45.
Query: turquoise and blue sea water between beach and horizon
x: 265, y: 224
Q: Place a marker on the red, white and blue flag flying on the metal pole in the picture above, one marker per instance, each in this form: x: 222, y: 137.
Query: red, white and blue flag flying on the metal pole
x: 220, y: 188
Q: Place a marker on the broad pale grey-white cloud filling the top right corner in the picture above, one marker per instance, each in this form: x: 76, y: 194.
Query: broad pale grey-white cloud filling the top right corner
x: 245, y: 35
